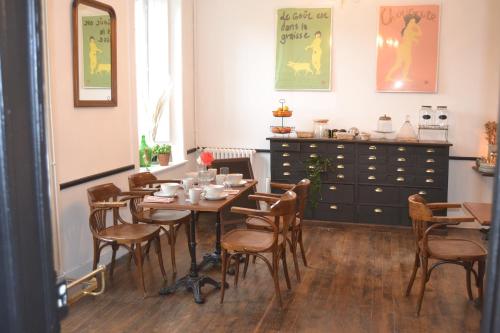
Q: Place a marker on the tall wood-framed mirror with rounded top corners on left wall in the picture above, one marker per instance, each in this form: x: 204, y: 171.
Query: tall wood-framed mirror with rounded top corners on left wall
x: 94, y: 54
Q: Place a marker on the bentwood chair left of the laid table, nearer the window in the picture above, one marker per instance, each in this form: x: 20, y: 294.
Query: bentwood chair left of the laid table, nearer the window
x: 169, y: 220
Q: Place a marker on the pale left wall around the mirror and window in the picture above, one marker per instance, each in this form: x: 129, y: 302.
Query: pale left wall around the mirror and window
x: 93, y: 140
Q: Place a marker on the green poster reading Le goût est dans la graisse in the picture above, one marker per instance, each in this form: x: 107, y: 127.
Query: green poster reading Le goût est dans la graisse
x: 303, y: 49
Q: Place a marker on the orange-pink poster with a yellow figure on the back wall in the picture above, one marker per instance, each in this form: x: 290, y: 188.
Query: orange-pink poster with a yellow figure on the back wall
x: 407, y: 48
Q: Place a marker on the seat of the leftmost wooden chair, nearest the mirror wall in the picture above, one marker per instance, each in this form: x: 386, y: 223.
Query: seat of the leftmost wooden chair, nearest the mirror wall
x: 129, y: 233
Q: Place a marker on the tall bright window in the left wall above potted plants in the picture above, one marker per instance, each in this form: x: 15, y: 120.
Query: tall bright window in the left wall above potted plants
x: 159, y: 85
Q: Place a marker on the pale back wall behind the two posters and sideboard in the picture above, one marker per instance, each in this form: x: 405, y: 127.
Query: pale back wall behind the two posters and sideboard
x: 235, y: 52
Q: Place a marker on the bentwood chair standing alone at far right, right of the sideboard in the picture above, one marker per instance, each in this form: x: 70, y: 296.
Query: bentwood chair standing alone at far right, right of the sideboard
x: 461, y: 252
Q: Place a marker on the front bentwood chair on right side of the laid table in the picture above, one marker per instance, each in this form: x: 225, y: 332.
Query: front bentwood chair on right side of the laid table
x: 240, y: 242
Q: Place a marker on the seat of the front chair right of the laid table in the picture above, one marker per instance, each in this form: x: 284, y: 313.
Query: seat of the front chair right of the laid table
x: 248, y: 240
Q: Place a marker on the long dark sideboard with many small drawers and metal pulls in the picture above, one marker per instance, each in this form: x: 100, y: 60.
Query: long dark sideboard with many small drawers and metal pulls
x: 369, y: 181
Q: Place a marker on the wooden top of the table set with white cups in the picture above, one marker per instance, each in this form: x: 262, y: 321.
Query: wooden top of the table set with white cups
x: 180, y: 202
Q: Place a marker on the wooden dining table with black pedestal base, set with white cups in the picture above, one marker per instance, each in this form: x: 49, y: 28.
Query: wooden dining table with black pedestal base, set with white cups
x: 194, y: 281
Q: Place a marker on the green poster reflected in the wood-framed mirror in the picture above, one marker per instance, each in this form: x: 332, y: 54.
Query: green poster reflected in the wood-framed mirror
x: 96, y: 50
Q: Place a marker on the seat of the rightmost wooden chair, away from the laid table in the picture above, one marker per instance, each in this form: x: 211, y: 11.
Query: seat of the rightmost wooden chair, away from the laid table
x: 455, y: 249
